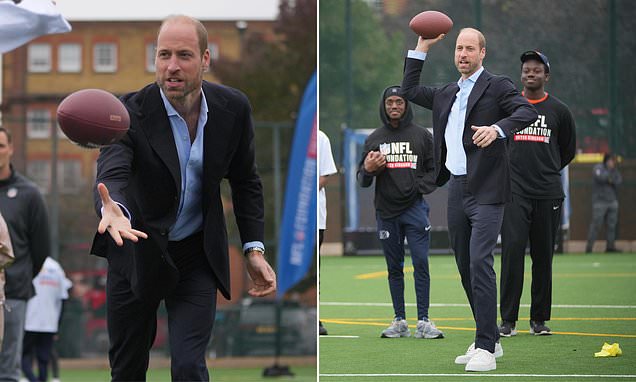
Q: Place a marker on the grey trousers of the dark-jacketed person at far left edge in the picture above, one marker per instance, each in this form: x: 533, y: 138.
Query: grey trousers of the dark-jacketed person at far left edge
x: 11, y: 354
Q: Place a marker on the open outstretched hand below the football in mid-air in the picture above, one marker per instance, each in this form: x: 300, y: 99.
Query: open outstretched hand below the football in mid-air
x: 114, y: 221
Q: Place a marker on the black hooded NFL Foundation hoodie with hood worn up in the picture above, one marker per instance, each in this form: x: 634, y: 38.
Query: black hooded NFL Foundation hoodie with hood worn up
x: 409, y: 170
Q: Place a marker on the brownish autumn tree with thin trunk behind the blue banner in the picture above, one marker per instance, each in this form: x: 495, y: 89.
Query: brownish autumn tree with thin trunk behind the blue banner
x: 273, y: 74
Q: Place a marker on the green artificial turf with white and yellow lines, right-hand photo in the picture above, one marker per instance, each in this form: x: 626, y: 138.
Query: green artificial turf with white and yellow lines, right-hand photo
x: 594, y: 301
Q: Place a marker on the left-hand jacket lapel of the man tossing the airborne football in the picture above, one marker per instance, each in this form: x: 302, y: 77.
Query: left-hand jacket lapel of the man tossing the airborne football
x: 156, y: 127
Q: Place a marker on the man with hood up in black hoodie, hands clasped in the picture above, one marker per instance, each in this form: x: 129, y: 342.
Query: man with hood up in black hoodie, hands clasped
x: 400, y: 156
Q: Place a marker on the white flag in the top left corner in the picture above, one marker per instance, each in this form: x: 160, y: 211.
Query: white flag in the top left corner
x: 21, y: 23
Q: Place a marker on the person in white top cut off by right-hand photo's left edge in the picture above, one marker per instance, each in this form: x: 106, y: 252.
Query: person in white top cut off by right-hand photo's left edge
x: 326, y: 168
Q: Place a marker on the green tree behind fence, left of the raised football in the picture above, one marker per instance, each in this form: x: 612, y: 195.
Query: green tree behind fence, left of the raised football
x: 376, y: 63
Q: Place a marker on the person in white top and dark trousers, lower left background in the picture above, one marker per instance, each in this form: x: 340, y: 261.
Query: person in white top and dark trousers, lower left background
x: 42, y: 318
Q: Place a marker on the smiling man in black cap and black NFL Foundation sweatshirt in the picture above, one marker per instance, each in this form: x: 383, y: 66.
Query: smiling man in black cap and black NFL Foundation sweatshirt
x: 538, y: 153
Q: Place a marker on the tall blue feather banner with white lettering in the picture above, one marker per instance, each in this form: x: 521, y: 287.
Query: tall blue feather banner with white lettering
x: 298, y: 228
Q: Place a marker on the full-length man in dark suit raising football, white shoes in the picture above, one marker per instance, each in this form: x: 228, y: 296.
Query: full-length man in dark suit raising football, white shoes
x: 471, y: 120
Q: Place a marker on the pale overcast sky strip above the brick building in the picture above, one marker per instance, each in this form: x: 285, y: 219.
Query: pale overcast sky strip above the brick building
x: 83, y: 10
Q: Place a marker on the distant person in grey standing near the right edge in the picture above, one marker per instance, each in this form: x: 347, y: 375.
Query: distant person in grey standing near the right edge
x: 605, y: 202
